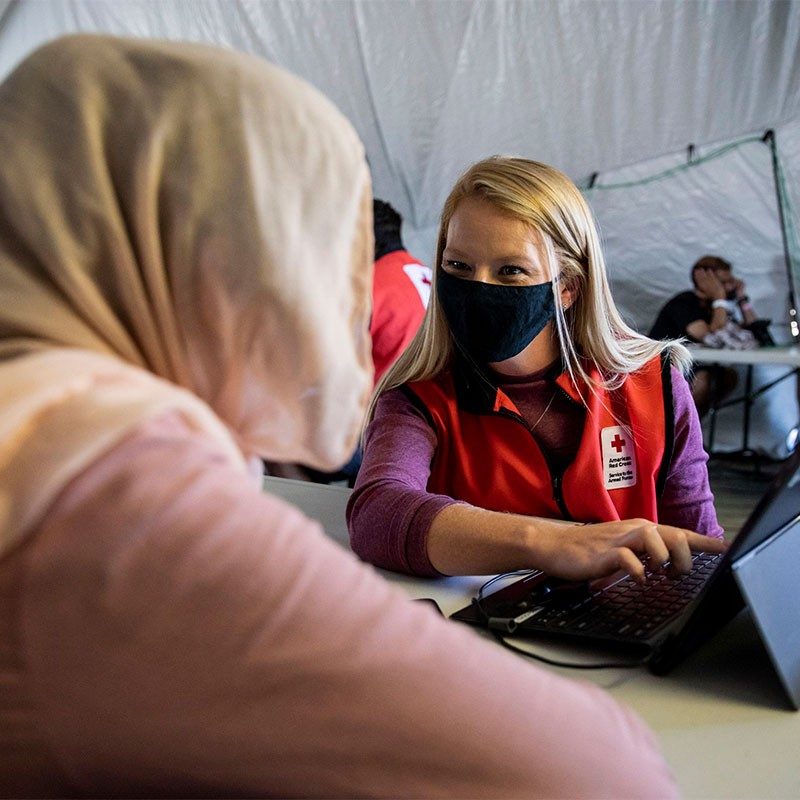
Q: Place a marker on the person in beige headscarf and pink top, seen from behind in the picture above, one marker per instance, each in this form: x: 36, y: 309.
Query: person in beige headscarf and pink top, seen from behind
x: 185, y: 248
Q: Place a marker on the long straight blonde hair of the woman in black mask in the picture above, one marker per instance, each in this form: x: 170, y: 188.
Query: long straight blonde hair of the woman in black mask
x: 591, y: 328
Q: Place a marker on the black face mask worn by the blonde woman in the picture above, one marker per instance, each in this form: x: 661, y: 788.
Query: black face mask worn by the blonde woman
x: 491, y: 323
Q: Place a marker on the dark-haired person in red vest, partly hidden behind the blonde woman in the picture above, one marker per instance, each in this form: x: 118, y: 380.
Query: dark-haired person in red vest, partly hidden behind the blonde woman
x: 400, y: 292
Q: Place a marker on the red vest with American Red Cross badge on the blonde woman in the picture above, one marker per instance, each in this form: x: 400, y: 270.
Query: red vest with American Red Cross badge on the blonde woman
x: 488, y: 457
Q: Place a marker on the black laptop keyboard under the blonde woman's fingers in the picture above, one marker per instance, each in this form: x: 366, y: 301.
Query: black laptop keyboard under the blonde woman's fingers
x: 625, y: 609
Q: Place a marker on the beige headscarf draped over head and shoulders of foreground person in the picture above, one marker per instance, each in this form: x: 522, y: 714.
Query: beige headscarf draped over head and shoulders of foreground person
x: 180, y: 227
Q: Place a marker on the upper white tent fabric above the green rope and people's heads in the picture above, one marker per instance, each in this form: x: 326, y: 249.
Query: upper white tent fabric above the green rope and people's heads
x: 435, y: 84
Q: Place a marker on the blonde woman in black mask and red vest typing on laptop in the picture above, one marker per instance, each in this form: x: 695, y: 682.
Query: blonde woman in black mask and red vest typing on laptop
x: 525, y: 401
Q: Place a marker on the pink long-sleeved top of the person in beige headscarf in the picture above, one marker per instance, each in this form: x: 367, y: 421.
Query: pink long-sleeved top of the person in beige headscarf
x: 170, y: 630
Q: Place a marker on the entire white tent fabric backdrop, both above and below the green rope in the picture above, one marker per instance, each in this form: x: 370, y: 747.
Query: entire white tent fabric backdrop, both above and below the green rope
x: 617, y: 87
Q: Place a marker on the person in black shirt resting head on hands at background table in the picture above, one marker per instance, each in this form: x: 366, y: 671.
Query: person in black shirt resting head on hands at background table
x: 717, y: 313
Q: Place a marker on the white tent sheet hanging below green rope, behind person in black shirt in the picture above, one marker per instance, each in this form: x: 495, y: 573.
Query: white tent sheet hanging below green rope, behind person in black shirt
x: 653, y: 232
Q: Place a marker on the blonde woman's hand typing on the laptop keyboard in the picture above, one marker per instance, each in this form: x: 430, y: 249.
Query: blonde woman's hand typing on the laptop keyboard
x: 585, y: 552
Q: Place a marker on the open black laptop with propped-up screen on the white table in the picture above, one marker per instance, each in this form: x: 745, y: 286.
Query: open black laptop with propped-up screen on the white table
x: 662, y: 621
